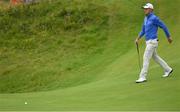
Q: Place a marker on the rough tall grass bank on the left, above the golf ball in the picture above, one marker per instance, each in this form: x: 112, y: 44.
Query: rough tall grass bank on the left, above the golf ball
x: 44, y: 44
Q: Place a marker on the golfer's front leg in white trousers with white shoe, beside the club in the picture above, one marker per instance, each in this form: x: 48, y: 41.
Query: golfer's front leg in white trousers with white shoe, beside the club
x: 146, y: 60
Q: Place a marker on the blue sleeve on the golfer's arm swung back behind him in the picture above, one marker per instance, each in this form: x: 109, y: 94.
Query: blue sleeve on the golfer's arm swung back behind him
x: 159, y: 23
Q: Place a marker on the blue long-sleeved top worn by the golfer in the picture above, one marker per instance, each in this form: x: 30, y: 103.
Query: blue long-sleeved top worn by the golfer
x: 150, y: 27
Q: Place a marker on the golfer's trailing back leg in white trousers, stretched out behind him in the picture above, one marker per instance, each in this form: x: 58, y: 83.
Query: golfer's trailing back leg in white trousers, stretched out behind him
x: 161, y: 62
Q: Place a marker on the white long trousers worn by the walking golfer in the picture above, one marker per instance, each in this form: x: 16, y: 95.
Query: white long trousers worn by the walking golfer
x: 151, y: 52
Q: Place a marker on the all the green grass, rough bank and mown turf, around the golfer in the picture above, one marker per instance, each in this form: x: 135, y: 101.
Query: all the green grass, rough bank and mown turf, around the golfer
x: 80, y: 55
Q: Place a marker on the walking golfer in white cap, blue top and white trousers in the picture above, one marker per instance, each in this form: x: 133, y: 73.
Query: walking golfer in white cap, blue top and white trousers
x: 149, y: 29
